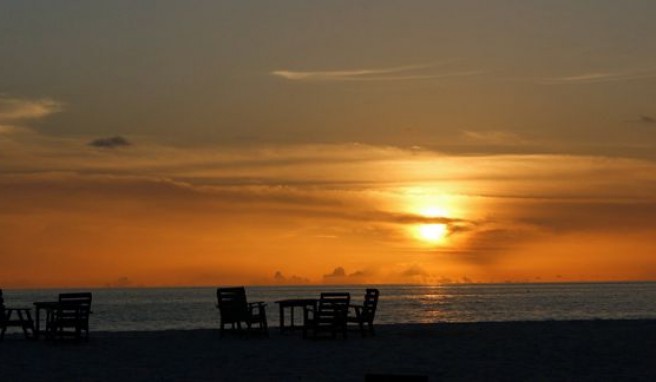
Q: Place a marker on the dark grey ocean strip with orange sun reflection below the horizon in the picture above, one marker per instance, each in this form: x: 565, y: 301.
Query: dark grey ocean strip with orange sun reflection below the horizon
x: 133, y: 309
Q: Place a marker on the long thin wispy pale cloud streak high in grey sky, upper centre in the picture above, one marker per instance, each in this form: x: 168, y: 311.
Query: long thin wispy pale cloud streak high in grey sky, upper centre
x: 401, y: 73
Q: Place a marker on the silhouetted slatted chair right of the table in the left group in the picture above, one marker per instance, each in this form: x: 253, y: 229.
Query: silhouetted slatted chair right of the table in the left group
x: 69, y: 318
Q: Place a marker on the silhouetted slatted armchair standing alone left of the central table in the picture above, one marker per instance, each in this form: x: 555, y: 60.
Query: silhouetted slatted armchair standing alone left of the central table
x: 235, y: 310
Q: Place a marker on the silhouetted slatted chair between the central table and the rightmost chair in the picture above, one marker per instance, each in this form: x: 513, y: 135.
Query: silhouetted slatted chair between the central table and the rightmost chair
x: 328, y: 316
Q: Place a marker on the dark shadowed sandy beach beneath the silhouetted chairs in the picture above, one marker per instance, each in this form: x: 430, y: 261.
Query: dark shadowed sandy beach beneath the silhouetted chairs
x: 508, y: 351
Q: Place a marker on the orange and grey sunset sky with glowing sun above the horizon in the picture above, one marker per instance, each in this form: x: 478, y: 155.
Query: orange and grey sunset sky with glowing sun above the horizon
x: 262, y: 142
